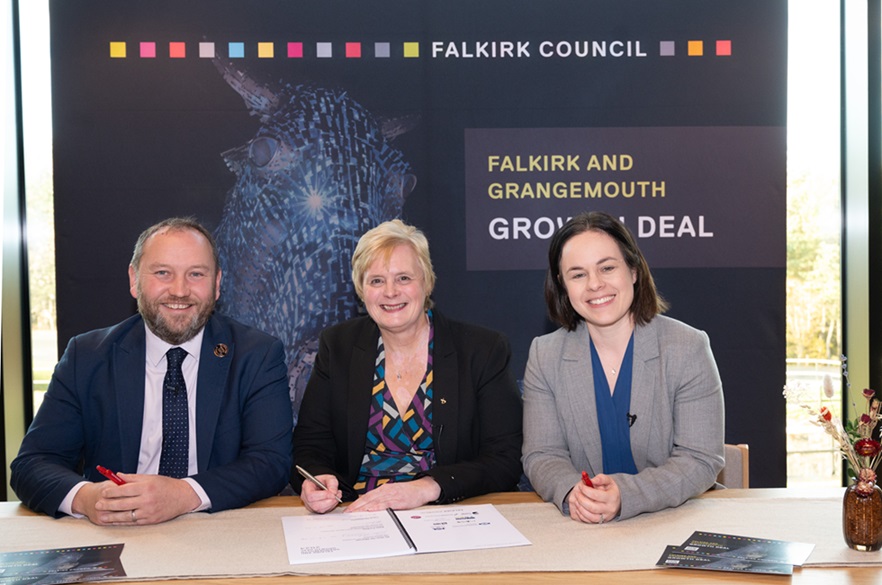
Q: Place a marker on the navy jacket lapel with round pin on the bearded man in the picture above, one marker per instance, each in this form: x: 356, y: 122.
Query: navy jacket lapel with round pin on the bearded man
x: 211, y: 385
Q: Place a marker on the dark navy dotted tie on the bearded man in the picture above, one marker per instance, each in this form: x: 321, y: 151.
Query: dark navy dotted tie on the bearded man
x: 174, y: 460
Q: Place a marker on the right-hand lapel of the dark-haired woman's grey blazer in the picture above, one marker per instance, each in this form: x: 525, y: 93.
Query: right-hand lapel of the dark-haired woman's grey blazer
x: 644, y: 386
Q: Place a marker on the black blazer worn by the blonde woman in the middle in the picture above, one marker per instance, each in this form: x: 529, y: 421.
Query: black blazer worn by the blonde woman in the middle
x: 476, y: 411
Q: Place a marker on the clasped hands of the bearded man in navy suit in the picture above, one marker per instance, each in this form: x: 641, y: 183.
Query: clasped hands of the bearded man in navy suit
x: 143, y: 499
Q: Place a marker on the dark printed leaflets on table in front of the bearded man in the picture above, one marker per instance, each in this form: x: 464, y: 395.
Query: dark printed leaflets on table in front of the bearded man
x: 61, y: 565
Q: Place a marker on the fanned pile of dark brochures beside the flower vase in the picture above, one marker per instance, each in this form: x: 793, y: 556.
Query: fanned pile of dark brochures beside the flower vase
x: 726, y: 552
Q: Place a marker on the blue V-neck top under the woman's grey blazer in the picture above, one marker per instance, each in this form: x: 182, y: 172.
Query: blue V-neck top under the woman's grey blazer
x: 613, y: 413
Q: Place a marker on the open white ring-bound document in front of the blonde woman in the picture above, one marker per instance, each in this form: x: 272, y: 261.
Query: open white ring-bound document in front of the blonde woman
x: 362, y: 535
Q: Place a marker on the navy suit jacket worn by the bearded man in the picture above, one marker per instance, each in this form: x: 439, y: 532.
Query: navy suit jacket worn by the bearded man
x: 92, y: 414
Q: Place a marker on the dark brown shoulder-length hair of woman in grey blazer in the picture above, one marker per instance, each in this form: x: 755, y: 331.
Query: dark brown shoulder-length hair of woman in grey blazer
x: 647, y: 302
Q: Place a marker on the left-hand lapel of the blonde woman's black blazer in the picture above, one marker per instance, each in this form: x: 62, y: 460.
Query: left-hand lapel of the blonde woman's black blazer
x: 361, y: 376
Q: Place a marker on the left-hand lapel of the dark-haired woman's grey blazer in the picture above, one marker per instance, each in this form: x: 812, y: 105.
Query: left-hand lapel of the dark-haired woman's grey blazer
x: 577, y: 378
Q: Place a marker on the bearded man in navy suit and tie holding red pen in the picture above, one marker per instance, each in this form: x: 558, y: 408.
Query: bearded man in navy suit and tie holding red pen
x: 104, y: 405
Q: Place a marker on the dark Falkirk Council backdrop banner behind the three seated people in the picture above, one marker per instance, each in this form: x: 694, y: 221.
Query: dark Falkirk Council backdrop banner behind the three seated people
x: 290, y: 128
